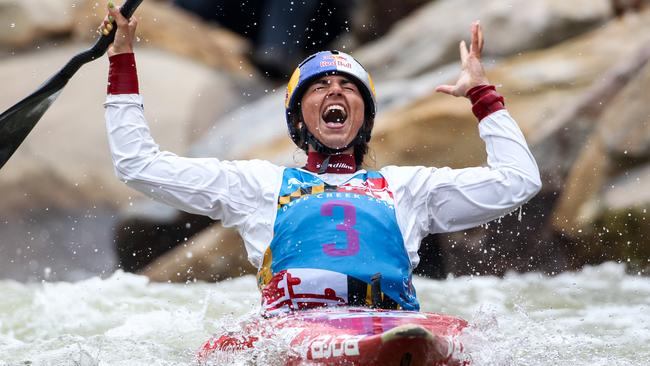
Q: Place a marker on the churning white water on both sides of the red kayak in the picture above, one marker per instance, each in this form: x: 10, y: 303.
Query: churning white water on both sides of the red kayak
x: 599, y: 316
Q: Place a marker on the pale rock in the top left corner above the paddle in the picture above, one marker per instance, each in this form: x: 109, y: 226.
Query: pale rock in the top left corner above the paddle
x: 26, y: 22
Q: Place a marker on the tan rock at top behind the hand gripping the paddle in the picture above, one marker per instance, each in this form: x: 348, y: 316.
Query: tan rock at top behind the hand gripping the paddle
x: 163, y: 26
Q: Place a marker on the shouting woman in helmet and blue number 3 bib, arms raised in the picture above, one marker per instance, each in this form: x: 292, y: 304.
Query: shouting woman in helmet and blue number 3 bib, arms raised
x: 329, y: 233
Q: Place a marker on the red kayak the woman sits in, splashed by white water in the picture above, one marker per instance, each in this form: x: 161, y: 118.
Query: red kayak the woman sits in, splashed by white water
x: 346, y: 336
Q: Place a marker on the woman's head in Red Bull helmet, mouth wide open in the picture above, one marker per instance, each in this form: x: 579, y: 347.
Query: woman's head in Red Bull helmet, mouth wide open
x: 326, y: 85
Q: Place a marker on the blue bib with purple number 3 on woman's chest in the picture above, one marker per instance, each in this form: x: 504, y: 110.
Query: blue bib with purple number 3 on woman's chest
x: 349, y: 229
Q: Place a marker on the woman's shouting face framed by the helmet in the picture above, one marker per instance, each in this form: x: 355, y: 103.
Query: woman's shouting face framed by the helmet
x: 333, y: 110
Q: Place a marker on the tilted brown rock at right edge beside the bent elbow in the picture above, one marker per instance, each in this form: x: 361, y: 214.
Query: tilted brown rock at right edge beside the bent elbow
x: 578, y: 172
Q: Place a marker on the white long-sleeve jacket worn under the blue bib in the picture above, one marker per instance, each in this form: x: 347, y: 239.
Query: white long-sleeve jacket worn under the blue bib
x: 244, y: 194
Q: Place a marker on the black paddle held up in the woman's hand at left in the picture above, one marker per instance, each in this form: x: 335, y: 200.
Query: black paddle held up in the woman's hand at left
x: 19, y: 120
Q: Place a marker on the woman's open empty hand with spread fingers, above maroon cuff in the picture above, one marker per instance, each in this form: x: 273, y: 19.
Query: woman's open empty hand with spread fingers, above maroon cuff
x: 472, y: 73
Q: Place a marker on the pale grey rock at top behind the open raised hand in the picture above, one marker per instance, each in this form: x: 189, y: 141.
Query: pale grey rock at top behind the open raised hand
x: 429, y: 37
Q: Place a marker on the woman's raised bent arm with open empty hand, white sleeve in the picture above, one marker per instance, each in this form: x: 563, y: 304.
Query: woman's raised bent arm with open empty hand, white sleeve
x: 457, y: 199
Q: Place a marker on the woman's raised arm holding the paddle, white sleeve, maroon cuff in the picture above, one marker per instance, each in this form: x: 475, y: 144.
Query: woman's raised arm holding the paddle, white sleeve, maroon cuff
x: 228, y: 191
